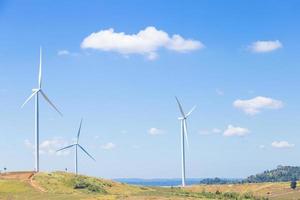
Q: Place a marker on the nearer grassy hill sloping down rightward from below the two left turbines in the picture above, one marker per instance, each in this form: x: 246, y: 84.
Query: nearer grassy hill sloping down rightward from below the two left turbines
x: 60, y: 185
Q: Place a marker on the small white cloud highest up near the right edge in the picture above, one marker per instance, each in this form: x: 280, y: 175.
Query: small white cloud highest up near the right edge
x: 265, y: 46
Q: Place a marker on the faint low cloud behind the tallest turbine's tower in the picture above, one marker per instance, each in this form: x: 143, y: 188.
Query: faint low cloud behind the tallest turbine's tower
x: 50, y: 146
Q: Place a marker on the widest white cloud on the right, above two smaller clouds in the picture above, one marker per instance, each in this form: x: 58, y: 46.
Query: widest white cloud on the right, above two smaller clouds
x: 255, y: 105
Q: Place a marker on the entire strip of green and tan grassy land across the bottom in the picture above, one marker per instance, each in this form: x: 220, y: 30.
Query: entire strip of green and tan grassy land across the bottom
x: 60, y: 185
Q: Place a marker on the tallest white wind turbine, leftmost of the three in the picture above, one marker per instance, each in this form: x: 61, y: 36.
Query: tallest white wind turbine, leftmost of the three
x: 36, y: 92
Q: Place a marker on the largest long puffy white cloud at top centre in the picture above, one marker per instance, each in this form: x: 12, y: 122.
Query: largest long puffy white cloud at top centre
x: 146, y: 42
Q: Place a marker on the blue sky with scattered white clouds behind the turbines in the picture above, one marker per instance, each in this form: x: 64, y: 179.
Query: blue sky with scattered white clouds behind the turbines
x: 237, y: 61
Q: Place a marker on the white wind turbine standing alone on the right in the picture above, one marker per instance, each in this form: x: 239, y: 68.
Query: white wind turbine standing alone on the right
x: 184, y: 136
